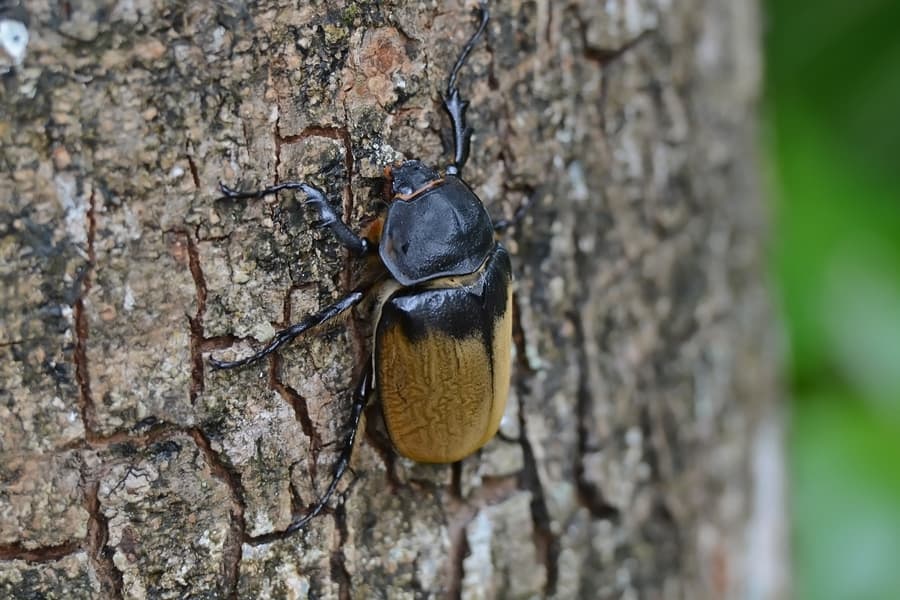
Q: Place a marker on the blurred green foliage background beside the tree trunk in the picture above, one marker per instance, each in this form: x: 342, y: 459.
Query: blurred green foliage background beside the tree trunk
x: 833, y: 143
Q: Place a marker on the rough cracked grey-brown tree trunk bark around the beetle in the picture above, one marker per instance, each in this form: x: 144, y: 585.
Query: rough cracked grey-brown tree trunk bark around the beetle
x: 130, y: 470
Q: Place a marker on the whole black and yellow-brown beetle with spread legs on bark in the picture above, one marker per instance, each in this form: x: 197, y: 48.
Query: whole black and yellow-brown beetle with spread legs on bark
x: 442, y: 306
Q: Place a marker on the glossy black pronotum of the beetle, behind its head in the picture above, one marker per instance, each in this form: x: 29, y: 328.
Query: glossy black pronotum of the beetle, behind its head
x: 441, y: 232
